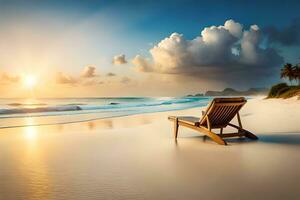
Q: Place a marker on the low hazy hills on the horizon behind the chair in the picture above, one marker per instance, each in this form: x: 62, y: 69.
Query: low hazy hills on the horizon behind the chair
x: 233, y: 92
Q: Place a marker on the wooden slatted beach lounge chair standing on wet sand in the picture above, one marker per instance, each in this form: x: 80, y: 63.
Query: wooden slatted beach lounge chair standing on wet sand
x: 218, y: 115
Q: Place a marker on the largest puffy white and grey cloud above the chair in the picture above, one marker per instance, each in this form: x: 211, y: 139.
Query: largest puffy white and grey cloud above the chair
x: 221, y: 52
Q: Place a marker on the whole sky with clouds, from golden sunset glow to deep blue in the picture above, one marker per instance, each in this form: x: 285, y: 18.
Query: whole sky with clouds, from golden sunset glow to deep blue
x: 143, y: 48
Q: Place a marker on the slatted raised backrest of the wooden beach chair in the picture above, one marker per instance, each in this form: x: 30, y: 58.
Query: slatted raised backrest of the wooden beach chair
x: 221, y: 111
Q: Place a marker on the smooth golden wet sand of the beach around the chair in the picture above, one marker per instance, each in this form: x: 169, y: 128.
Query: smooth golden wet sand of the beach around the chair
x: 136, y: 157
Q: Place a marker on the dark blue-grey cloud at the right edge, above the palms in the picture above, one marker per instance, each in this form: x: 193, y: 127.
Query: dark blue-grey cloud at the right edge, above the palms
x: 288, y: 36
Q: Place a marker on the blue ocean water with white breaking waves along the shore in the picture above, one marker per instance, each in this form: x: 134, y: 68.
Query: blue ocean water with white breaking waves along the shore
x: 37, y: 112
